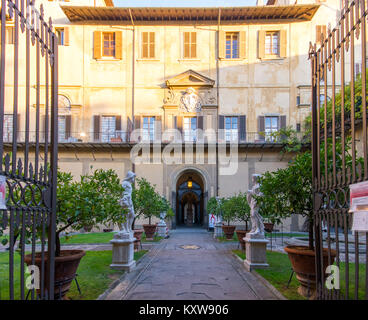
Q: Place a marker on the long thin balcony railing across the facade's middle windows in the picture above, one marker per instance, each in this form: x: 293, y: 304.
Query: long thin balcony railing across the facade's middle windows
x: 124, y: 137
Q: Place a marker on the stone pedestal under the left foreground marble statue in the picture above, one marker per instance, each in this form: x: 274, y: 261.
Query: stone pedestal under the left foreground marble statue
x: 123, y: 251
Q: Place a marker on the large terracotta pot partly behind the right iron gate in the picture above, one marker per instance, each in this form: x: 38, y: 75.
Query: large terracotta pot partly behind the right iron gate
x: 303, y: 262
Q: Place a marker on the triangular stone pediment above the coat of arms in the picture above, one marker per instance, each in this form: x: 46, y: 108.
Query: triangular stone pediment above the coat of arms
x: 190, y: 78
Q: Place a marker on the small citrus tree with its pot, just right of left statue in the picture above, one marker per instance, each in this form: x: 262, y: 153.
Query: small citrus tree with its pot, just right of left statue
x: 147, y: 204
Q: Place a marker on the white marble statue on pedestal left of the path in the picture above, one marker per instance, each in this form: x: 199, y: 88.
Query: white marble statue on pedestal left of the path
x: 127, y: 203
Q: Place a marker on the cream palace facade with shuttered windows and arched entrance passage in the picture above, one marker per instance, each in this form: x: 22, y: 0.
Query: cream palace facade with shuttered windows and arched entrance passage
x: 136, y: 74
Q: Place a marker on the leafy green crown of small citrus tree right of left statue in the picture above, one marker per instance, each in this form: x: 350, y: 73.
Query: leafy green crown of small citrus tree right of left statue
x: 147, y: 201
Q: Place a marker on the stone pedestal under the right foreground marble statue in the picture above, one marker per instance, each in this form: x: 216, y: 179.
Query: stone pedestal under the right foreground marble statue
x: 255, y: 246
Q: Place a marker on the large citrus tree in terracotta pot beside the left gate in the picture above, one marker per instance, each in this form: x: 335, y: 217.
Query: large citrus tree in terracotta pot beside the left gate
x: 91, y: 201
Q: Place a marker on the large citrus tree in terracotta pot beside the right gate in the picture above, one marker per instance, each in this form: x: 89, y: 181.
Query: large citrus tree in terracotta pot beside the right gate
x: 289, y: 191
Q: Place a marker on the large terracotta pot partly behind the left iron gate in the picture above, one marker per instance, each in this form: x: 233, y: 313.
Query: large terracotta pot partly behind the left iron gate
x: 65, y: 269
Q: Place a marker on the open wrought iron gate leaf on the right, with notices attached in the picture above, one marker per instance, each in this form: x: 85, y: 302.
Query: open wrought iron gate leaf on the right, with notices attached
x: 339, y: 147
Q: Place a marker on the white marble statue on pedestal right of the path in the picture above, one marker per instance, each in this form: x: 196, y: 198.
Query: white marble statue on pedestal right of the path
x: 255, y: 217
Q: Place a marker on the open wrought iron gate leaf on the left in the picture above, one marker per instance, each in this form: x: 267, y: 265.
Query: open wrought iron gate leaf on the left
x: 28, y: 167
